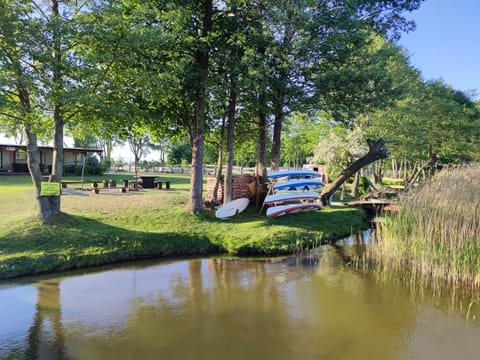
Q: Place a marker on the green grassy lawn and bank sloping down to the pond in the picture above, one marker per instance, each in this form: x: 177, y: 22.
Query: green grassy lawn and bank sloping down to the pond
x: 113, y: 227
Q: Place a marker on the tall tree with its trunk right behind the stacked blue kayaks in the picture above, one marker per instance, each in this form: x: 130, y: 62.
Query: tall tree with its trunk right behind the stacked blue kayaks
x: 319, y: 49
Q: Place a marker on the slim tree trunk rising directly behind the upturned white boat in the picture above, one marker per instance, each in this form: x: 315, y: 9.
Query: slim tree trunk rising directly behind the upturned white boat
x: 232, y: 104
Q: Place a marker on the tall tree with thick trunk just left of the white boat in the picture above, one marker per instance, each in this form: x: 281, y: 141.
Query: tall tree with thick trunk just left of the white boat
x: 169, y: 53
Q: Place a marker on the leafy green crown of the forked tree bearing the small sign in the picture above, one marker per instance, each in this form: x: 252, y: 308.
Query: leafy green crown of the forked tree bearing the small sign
x: 34, y: 79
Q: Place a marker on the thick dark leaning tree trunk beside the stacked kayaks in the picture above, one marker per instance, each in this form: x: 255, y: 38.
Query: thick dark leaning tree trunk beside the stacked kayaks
x: 376, y: 151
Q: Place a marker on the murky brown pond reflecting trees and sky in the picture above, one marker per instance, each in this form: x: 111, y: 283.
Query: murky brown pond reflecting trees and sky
x: 220, y: 308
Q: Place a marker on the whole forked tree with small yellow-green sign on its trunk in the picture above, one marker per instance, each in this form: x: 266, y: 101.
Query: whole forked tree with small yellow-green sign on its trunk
x: 41, y: 67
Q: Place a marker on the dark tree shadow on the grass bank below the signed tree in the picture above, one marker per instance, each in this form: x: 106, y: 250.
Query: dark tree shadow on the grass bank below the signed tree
x: 72, y: 242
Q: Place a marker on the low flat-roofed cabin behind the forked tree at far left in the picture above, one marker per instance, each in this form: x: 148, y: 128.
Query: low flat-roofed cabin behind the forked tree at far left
x: 13, y: 158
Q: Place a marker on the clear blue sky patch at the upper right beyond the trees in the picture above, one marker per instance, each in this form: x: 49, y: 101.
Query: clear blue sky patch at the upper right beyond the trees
x: 446, y: 42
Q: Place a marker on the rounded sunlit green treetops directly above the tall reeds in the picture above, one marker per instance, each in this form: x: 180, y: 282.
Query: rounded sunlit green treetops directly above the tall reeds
x: 431, y: 122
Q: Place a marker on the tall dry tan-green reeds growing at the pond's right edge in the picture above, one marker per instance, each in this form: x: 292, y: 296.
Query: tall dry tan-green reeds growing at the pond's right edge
x: 435, y: 235
